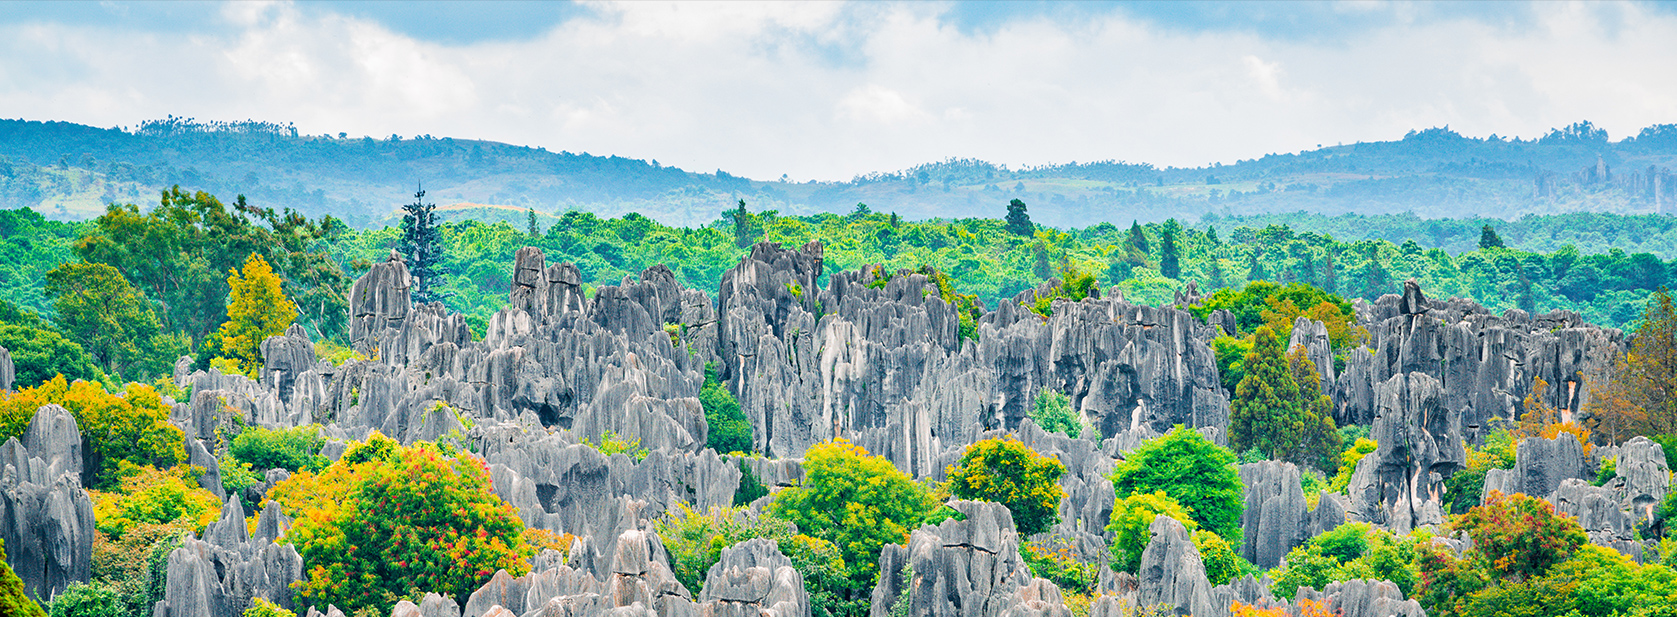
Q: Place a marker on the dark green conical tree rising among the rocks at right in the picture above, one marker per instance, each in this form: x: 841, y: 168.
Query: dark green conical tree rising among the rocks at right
x: 1279, y: 408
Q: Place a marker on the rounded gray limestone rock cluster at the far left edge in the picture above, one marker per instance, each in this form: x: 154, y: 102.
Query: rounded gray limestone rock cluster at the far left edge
x: 46, y: 519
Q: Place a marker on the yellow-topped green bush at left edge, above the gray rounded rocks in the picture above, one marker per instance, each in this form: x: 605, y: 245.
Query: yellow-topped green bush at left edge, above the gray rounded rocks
x: 133, y: 427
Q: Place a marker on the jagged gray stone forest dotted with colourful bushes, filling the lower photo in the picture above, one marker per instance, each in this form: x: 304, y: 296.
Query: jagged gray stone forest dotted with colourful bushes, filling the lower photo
x: 813, y: 443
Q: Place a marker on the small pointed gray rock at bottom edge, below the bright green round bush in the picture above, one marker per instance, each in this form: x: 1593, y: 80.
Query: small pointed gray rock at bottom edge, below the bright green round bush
x: 1171, y: 571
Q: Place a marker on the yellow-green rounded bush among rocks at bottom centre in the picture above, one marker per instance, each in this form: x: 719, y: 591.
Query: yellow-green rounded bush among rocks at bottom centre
x: 854, y: 500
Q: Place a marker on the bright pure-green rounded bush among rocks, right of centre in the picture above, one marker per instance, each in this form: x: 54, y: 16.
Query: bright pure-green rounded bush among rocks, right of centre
x: 1197, y: 474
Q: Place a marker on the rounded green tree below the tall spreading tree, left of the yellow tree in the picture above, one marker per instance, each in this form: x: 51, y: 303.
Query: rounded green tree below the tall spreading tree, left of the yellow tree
x: 110, y: 319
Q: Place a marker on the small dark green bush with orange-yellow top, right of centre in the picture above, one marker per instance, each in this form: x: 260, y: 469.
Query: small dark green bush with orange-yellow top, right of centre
x: 1007, y: 472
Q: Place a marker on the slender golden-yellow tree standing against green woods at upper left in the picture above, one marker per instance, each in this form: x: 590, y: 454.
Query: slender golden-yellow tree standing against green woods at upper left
x: 256, y: 309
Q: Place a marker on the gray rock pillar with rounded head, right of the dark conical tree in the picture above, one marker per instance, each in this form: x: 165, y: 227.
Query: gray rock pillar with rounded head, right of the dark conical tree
x: 1401, y: 485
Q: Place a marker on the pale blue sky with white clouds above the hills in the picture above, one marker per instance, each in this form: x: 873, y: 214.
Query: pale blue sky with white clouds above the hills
x: 833, y: 90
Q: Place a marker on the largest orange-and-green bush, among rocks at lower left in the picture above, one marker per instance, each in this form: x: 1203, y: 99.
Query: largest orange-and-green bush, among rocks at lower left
x: 388, y: 521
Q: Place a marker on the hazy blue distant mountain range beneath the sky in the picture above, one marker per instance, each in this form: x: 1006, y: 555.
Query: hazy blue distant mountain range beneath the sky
x: 71, y: 172
